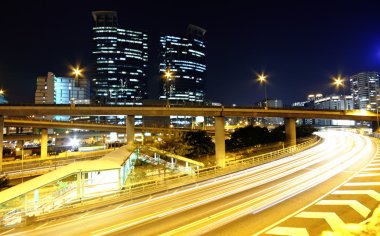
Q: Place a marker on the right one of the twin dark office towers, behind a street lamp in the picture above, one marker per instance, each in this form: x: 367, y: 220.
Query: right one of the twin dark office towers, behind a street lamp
x: 185, y: 57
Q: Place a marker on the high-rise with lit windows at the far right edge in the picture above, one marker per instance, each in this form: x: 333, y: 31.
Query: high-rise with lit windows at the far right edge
x: 364, y: 89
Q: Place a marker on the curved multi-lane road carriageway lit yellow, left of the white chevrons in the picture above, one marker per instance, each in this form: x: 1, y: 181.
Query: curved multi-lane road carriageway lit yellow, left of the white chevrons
x: 244, y: 203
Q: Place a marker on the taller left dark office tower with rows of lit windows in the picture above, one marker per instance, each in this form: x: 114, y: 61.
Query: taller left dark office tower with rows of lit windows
x: 121, y: 61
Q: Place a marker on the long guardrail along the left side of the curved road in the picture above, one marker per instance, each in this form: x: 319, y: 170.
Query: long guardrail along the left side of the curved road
x: 146, y: 188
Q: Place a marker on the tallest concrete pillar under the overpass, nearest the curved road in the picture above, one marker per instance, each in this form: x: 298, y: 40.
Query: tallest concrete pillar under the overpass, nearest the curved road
x: 220, y: 146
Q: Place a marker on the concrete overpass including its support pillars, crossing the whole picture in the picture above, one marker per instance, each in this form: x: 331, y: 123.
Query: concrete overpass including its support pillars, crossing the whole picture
x: 219, y: 113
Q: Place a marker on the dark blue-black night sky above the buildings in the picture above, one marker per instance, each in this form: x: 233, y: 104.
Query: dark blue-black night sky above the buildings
x: 300, y: 45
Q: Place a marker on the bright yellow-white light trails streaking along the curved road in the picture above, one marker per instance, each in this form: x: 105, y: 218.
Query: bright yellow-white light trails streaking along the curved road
x: 215, y: 202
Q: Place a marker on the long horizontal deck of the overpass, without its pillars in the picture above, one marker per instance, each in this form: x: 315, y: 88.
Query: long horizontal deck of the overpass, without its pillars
x: 79, y: 110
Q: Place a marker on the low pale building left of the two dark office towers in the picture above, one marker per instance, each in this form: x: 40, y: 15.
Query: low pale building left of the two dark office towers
x: 61, y: 90
